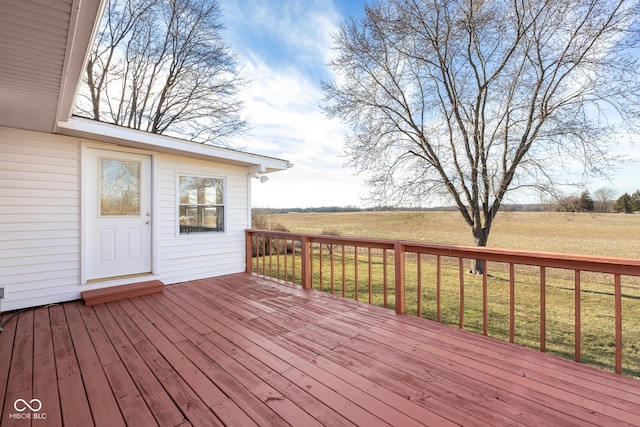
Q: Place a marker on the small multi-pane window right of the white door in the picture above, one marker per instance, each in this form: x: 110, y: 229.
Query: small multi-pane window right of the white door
x: 201, y: 207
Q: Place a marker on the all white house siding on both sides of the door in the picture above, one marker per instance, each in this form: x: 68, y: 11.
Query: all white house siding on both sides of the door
x: 40, y: 220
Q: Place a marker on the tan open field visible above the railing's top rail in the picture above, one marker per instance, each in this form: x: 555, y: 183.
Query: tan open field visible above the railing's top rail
x: 580, y: 233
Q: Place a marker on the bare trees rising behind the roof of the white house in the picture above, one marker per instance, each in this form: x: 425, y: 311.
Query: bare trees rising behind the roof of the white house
x: 162, y: 66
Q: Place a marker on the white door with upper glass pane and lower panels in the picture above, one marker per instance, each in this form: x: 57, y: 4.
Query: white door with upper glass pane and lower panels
x: 117, y: 226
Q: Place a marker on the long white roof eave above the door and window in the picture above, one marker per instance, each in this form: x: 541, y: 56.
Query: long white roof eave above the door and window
x: 105, y: 132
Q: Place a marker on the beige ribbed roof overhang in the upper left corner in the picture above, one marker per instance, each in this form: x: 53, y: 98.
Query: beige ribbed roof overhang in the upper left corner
x: 43, y: 46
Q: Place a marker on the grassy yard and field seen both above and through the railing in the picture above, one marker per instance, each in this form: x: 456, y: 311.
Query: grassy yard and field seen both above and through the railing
x: 610, y: 235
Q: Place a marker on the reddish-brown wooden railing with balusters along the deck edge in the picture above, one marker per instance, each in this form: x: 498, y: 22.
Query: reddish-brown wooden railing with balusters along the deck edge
x: 386, y: 272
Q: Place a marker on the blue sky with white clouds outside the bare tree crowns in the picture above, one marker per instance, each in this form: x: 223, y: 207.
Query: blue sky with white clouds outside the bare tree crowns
x: 283, y: 48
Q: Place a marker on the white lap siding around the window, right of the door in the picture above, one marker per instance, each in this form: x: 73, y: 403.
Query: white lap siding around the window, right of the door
x: 199, y: 255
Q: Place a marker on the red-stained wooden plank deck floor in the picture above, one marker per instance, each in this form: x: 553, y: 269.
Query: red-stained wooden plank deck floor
x: 241, y: 350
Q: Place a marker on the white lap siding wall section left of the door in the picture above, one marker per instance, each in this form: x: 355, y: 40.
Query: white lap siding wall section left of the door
x: 39, y: 218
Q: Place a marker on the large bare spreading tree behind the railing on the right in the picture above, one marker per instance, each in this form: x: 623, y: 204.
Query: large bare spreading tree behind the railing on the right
x: 471, y: 99
